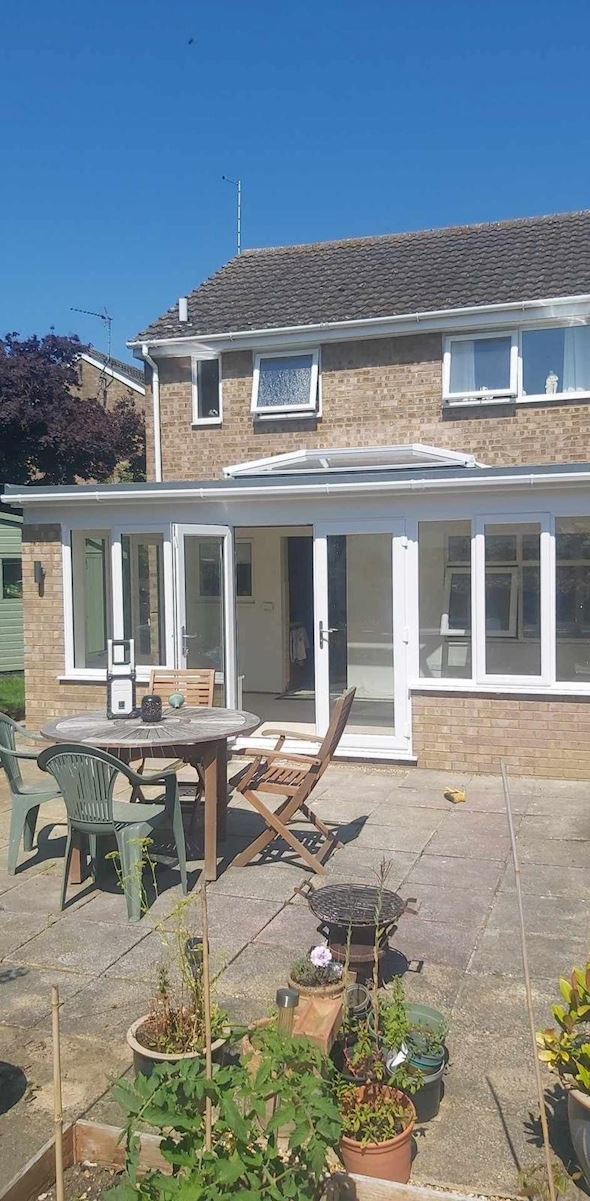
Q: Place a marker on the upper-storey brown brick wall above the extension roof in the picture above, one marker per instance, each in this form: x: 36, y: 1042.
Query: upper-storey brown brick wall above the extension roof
x: 374, y: 393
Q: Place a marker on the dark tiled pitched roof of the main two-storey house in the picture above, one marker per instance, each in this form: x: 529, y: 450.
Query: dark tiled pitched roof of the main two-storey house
x: 389, y: 277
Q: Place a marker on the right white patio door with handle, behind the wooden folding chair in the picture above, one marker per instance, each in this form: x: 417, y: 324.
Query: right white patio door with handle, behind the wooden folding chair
x: 361, y: 632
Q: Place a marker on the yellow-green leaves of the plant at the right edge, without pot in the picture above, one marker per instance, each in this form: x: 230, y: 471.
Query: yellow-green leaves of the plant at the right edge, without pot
x: 568, y: 1049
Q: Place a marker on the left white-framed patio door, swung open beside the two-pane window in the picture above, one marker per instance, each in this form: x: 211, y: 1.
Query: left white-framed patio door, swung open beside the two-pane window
x: 205, y: 604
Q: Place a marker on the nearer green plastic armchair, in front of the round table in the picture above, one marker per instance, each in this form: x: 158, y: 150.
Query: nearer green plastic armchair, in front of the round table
x: 87, y: 779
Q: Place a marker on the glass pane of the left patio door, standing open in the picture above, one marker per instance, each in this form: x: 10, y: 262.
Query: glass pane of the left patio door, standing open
x: 204, y: 630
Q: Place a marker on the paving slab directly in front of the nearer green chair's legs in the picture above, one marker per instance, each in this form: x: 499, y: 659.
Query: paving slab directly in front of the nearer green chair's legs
x: 81, y: 946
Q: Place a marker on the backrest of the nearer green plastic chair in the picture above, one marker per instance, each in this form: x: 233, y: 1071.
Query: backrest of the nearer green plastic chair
x: 86, y: 779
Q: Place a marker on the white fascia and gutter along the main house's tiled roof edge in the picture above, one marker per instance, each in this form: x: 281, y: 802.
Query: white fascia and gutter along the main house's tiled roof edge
x: 491, y: 316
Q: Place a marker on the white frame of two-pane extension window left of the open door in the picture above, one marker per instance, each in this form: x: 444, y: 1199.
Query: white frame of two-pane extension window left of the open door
x: 115, y: 599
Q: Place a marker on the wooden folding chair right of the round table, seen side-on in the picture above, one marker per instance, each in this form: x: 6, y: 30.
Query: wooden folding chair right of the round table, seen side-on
x: 294, y: 776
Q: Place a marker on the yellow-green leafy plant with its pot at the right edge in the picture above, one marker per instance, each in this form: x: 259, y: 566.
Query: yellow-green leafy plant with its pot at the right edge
x: 568, y: 1053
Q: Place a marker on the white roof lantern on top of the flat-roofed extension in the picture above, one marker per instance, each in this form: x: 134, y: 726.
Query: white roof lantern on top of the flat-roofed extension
x: 299, y: 463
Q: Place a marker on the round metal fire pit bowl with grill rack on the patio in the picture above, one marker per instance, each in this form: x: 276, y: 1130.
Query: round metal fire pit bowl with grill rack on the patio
x: 360, y: 909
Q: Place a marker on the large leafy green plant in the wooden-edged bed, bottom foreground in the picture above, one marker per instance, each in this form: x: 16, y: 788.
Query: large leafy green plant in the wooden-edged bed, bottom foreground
x: 272, y: 1131
